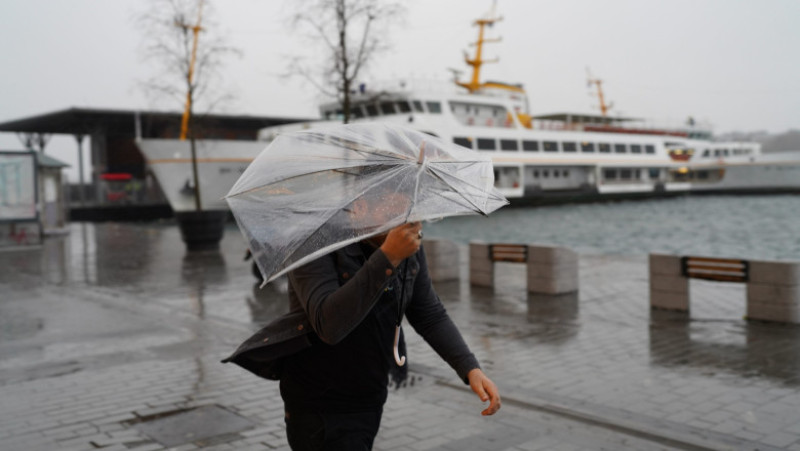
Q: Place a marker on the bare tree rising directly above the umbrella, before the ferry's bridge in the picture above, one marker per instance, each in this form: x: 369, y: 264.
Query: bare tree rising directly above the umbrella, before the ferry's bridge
x: 351, y: 33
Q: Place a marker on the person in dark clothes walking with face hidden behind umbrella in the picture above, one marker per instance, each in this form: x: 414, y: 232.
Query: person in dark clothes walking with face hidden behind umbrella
x: 334, y: 390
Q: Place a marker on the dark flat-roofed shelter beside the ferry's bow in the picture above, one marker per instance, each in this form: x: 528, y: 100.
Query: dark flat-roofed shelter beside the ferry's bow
x: 115, y: 157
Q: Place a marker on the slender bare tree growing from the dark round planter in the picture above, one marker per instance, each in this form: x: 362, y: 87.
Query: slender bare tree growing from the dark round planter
x: 181, y: 37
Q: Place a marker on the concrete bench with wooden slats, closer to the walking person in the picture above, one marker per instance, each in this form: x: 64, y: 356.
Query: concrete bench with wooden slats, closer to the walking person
x: 550, y: 270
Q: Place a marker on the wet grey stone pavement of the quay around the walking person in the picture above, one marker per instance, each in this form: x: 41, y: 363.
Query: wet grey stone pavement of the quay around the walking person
x: 111, y: 336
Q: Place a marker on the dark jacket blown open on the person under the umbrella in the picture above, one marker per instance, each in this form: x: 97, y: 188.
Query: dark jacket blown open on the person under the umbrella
x: 343, y: 282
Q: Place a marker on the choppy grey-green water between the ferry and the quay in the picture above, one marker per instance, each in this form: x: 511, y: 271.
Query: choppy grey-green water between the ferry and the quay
x: 749, y: 227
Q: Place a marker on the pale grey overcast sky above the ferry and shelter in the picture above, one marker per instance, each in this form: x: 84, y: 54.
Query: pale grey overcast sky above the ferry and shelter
x: 732, y: 63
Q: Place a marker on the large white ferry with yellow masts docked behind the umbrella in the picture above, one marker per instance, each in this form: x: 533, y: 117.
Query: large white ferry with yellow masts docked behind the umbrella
x: 544, y: 158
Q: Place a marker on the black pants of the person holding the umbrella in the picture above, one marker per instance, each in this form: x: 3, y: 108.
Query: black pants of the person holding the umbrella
x: 332, y: 431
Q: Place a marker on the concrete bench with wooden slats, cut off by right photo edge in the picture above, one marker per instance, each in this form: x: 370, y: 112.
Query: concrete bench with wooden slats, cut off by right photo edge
x: 773, y: 288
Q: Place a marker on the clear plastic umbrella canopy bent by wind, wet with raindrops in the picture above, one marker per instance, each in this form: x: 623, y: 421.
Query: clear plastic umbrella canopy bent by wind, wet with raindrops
x: 312, y: 192
